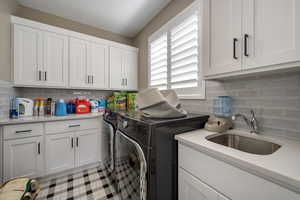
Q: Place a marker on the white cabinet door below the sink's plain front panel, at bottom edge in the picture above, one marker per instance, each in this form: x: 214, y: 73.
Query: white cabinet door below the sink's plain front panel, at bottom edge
x: 190, y: 188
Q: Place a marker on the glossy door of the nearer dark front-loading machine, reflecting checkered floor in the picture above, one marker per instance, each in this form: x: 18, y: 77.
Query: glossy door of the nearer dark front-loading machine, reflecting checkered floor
x: 130, y: 168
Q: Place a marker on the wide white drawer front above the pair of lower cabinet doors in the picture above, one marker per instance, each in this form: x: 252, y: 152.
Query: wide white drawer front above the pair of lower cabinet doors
x: 71, y: 125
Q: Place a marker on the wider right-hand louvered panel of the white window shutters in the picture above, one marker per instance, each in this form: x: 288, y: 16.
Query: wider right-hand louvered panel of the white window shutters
x: 184, y: 54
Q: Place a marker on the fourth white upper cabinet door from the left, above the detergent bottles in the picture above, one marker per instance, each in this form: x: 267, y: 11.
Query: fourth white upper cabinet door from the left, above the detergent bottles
x: 98, y: 63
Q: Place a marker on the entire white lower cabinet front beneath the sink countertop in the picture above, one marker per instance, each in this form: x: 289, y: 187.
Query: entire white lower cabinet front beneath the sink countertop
x: 233, y: 182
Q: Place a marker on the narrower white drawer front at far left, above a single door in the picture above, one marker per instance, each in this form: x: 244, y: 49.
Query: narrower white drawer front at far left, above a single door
x: 22, y: 131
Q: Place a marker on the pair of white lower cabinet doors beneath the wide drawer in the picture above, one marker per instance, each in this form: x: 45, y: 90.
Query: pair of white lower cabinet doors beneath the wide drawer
x: 74, y: 149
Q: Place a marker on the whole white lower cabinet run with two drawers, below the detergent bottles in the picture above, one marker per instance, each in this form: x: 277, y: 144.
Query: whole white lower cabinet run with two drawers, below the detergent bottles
x: 38, y: 149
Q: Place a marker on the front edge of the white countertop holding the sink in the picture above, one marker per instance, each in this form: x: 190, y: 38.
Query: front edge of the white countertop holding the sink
x: 264, y: 173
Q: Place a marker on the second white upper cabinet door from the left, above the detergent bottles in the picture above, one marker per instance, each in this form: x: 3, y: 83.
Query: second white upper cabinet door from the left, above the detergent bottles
x: 55, y: 59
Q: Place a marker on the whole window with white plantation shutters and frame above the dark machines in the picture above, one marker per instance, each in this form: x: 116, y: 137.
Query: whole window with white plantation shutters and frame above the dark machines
x: 174, y: 55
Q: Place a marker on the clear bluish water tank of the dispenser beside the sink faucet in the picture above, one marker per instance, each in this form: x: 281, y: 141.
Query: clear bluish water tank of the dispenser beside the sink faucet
x: 222, y: 106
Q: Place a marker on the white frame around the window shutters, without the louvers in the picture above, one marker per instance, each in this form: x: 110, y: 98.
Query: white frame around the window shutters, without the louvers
x: 166, y: 29
